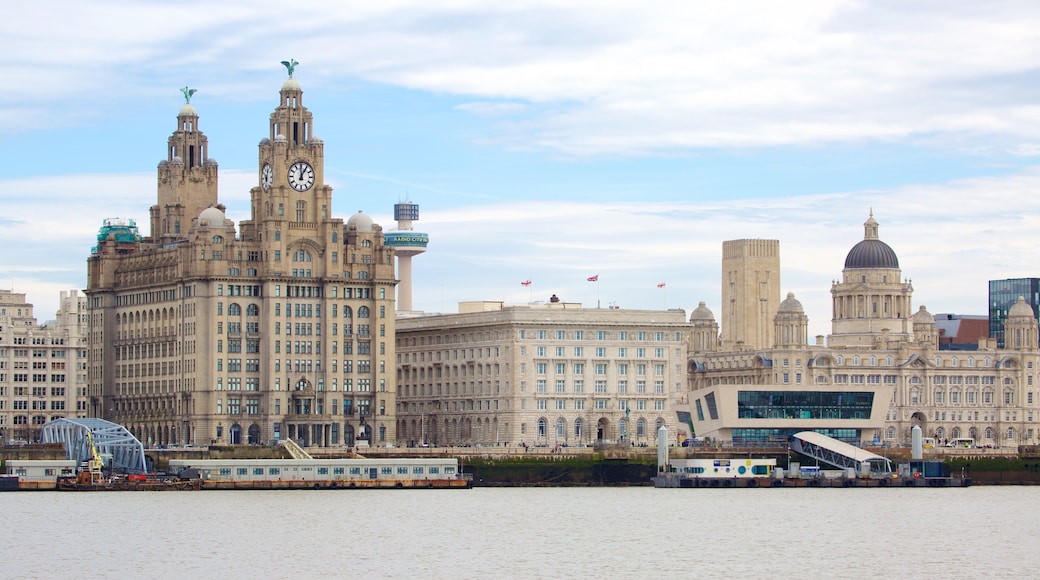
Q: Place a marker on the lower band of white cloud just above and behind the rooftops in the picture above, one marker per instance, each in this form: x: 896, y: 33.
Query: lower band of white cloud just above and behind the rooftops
x: 951, y: 240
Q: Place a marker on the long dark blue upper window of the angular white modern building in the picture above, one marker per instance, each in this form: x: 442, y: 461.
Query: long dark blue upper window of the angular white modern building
x: 804, y: 405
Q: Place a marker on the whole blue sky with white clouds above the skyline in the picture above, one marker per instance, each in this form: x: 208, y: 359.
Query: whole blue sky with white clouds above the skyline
x: 554, y: 141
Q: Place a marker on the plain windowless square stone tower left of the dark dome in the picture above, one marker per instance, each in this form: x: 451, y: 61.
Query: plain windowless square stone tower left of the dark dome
x: 751, y: 293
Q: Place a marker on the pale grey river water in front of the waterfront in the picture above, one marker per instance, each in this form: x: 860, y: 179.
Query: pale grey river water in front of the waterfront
x: 526, y: 533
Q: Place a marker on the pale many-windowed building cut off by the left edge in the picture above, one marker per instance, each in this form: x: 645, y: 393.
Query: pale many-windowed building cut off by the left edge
x: 43, y: 367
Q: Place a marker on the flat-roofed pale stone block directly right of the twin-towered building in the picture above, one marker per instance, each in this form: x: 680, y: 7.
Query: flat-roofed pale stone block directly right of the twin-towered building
x: 541, y: 375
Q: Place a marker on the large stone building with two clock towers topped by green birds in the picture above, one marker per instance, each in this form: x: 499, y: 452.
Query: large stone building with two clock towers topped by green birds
x: 283, y: 328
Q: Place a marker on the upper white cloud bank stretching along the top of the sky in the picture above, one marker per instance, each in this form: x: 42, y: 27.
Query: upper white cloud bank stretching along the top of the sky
x: 588, y: 78
